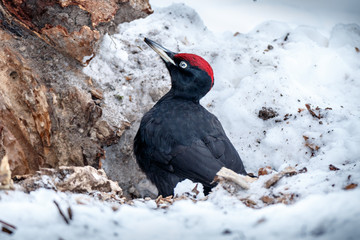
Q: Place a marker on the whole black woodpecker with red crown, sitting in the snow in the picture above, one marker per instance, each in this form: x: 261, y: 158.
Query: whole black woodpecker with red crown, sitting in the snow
x: 178, y: 138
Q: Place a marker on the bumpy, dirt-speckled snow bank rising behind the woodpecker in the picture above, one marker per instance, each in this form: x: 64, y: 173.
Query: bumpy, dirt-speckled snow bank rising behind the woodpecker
x: 275, y: 66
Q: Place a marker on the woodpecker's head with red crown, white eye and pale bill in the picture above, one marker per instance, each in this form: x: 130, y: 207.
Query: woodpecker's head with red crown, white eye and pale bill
x: 191, y: 76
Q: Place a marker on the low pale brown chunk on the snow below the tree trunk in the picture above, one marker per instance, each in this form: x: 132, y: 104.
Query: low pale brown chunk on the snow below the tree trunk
x: 74, y: 179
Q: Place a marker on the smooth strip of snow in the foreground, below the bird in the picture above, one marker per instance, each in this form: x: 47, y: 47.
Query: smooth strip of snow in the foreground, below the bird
x: 332, y: 216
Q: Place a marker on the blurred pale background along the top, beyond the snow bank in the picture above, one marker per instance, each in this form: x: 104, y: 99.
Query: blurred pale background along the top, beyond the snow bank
x: 244, y: 15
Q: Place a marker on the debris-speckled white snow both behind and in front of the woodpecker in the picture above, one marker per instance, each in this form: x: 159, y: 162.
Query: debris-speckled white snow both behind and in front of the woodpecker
x: 276, y: 64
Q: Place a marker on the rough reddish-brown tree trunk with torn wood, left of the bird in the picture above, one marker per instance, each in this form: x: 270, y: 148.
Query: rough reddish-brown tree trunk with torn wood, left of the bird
x: 50, y: 112
